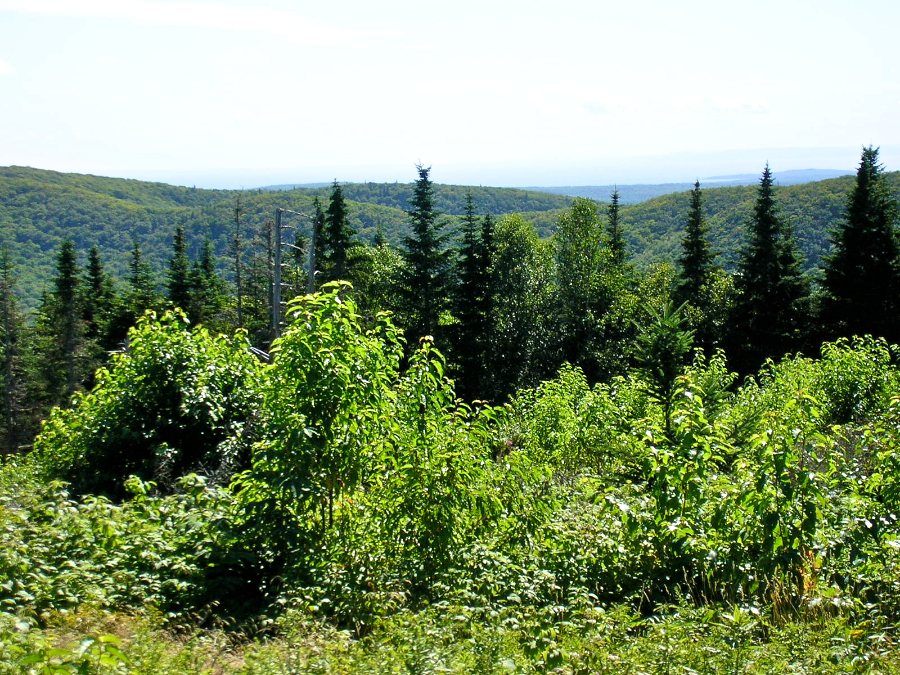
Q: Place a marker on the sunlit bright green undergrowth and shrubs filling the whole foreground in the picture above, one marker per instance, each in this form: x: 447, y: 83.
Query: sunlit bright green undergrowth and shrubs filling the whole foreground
x: 334, y: 512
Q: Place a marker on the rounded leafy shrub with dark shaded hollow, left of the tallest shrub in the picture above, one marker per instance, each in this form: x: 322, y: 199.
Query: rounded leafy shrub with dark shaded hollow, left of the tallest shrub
x: 176, y: 401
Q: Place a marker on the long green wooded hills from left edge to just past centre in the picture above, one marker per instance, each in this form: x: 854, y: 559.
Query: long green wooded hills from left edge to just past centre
x: 38, y: 209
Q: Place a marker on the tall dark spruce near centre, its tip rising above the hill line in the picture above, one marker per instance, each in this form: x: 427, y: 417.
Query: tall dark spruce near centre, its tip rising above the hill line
x: 425, y: 283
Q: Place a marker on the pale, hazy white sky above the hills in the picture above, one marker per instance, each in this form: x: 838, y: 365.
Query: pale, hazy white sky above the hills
x: 244, y: 93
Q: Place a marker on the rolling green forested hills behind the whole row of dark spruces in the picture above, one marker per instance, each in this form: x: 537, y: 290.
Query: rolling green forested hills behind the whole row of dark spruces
x: 38, y: 209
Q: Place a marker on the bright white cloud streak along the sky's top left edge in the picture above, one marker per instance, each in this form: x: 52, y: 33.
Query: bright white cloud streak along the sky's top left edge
x: 200, y: 15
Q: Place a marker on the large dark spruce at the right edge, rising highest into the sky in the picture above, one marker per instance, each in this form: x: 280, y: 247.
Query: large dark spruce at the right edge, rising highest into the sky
x: 862, y: 276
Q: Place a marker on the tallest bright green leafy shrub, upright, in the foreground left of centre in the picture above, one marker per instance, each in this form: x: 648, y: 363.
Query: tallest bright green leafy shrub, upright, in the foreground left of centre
x: 326, y: 403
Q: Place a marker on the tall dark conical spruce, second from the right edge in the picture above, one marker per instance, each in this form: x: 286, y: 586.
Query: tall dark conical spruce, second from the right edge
x: 769, y: 320
